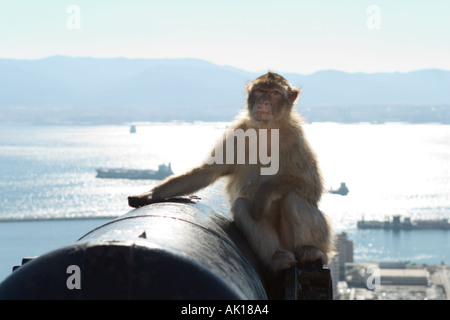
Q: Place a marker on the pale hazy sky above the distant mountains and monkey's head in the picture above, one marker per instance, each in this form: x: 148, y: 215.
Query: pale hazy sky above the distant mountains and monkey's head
x: 289, y: 36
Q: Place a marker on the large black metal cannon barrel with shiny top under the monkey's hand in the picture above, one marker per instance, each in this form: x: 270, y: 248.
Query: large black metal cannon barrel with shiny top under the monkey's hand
x: 169, y: 250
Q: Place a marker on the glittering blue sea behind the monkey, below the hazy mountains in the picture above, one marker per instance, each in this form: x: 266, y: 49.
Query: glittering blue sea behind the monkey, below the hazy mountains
x: 50, y: 196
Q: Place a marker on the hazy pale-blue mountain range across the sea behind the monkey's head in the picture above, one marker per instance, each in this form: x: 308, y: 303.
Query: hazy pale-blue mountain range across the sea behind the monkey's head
x: 65, y: 90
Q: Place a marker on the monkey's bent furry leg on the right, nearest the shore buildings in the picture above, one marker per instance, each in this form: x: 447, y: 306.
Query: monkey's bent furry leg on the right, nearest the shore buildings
x: 305, y: 229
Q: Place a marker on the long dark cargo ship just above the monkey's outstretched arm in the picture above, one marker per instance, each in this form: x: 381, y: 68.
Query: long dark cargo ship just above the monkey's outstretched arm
x: 136, y: 174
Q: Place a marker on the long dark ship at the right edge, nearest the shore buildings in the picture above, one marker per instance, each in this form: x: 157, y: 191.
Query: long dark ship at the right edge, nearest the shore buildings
x: 397, y: 224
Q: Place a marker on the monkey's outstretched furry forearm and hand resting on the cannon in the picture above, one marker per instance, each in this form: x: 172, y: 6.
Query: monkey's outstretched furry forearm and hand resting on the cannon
x: 184, y: 184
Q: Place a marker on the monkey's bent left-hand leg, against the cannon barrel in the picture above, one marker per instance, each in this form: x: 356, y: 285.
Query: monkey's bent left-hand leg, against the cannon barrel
x: 262, y: 237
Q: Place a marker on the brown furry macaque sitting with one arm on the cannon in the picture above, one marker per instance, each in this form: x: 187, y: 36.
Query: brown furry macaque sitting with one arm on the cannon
x: 277, y: 211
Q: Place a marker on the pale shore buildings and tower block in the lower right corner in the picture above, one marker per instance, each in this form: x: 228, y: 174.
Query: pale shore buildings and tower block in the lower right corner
x: 385, y: 281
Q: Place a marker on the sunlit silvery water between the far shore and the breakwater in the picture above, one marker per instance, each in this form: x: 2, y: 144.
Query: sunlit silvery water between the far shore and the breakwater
x: 389, y: 169
